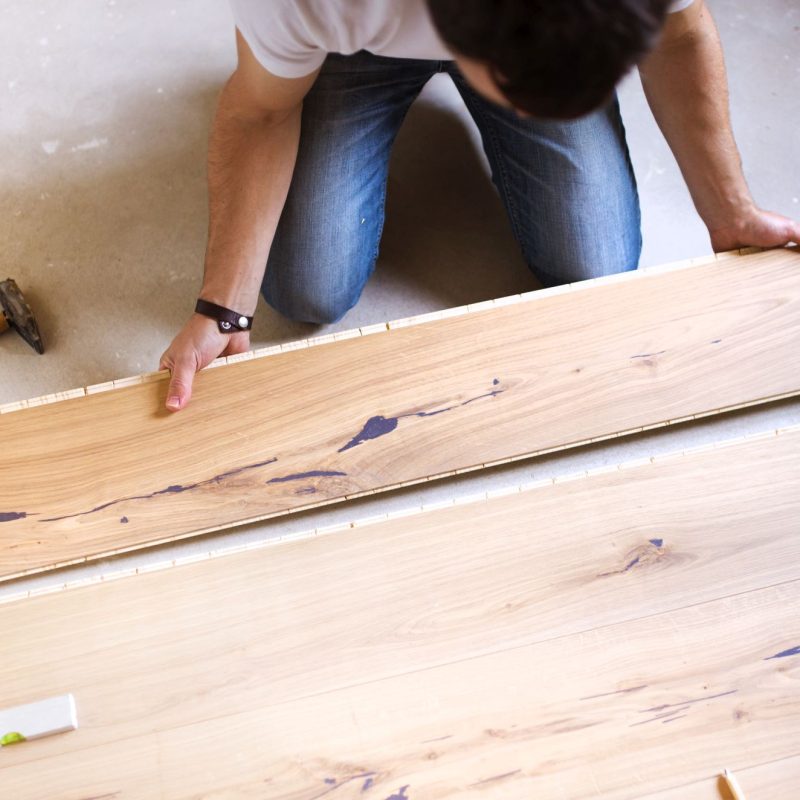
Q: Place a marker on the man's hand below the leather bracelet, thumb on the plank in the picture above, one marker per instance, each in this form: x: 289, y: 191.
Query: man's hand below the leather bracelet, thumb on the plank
x: 197, y: 344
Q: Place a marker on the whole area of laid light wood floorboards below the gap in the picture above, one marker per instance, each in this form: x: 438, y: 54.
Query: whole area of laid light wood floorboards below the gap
x: 613, y: 636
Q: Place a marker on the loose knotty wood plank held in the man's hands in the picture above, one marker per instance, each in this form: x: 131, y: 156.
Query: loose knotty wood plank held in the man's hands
x: 110, y: 472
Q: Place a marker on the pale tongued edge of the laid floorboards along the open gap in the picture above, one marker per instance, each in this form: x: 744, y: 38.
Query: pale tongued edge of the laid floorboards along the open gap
x: 411, y: 511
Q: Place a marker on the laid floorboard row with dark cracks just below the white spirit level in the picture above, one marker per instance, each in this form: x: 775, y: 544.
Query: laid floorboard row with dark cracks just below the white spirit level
x: 616, y: 713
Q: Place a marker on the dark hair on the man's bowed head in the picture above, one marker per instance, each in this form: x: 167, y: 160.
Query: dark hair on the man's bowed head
x: 556, y: 59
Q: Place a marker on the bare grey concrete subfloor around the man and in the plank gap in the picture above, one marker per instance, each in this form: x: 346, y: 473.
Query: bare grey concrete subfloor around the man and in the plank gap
x: 105, y: 112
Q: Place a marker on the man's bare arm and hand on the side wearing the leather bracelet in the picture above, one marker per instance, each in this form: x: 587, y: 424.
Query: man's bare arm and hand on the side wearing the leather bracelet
x: 251, y: 158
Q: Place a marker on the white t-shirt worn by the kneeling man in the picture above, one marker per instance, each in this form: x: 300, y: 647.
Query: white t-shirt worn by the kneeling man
x: 291, y: 38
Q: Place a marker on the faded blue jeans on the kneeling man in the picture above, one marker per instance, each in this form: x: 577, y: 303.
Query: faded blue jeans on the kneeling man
x: 568, y: 187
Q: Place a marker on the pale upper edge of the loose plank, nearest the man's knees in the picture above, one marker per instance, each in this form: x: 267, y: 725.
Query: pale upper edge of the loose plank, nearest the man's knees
x: 419, y: 319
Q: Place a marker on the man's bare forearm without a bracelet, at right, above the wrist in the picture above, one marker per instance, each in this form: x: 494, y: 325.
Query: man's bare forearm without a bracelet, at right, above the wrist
x: 686, y: 86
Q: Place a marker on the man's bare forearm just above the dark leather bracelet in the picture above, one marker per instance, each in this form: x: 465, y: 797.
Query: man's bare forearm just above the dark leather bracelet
x: 250, y: 164
